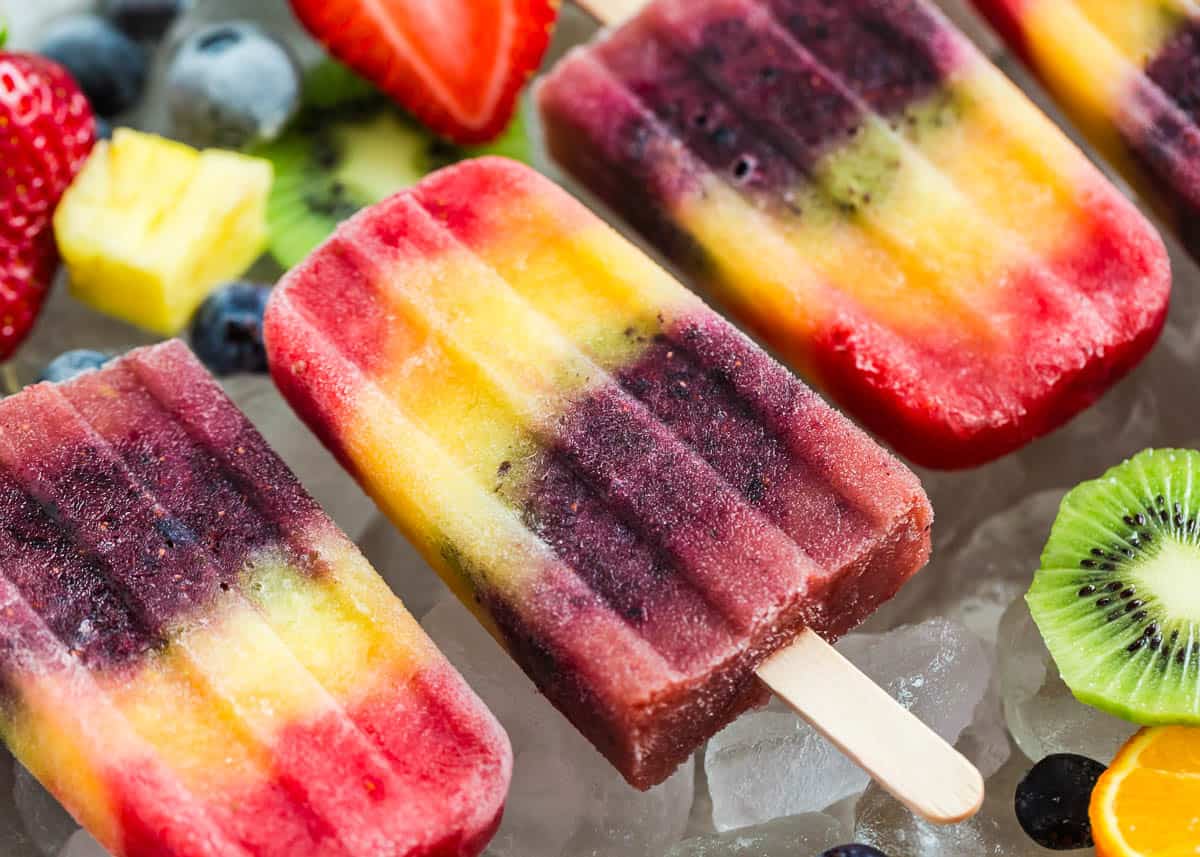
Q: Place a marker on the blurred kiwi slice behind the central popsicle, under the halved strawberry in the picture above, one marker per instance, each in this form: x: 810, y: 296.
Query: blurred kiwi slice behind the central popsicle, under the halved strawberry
x: 351, y: 148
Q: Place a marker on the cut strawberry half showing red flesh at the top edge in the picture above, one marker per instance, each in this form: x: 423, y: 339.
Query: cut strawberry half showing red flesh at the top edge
x: 457, y: 65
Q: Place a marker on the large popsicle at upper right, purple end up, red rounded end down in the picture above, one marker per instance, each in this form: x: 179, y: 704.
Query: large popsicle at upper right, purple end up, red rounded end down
x: 862, y: 189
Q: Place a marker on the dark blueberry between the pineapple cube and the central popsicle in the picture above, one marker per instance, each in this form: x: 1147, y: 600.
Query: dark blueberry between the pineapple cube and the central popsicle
x: 227, y: 331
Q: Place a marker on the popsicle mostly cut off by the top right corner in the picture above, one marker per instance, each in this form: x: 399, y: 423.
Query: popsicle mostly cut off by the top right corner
x: 1129, y: 71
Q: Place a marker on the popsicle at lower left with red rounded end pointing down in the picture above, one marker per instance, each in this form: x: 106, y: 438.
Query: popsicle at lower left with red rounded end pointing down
x: 200, y: 662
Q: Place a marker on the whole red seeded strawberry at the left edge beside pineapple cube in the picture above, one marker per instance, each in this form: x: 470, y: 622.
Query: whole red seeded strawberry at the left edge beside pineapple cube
x: 46, y: 133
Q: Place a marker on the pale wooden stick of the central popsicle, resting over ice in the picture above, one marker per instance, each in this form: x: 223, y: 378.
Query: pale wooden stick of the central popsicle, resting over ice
x: 904, y: 756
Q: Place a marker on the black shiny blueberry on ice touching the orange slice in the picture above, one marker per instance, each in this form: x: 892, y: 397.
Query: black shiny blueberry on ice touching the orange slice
x: 1052, y: 801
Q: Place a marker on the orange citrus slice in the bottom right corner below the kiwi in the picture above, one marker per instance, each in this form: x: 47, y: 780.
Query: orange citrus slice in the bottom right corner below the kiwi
x: 1148, y: 804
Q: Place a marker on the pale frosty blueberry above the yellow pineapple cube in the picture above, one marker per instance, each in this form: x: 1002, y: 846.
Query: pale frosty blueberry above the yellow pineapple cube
x: 232, y: 86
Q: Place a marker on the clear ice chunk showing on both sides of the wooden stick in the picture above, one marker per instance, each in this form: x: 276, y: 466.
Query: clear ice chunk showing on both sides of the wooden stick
x: 771, y: 764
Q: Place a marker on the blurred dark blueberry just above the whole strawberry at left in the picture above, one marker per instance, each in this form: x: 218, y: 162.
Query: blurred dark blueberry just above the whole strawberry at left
x: 109, y: 67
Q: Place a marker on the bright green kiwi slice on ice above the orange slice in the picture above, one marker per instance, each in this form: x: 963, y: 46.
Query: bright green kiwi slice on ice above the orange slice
x: 1118, y: 597
